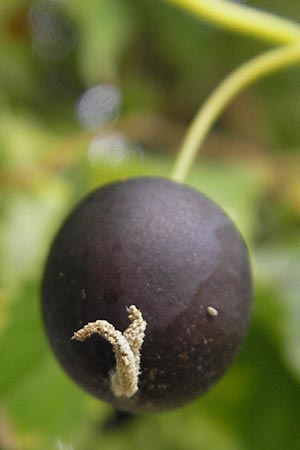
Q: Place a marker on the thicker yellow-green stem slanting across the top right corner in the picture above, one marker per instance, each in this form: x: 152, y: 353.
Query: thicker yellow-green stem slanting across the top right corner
x: 243, y: 19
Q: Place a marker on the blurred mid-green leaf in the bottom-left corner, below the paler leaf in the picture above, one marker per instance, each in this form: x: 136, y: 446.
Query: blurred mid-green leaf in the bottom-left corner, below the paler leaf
x: 42, y: 402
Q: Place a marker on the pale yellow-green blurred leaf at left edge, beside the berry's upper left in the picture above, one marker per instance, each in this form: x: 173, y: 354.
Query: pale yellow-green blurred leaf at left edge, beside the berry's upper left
x: 28, y: 222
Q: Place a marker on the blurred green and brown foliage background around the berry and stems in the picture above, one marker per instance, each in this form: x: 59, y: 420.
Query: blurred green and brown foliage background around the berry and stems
x: 94, y: 90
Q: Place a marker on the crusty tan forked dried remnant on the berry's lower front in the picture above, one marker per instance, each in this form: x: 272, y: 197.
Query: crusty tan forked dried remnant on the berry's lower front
x: 126, y: 347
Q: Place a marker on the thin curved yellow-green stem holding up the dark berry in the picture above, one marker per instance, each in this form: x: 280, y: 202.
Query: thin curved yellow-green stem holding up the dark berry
x: 242, y: 77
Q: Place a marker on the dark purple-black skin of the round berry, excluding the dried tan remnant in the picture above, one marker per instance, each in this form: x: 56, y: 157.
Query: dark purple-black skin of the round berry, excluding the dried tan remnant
x: 174, y: 254
